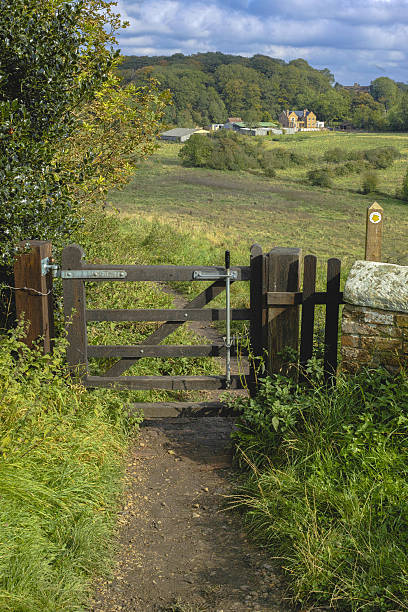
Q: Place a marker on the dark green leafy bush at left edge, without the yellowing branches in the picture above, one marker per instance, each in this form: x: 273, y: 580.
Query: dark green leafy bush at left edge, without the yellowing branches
x: 43, y: 79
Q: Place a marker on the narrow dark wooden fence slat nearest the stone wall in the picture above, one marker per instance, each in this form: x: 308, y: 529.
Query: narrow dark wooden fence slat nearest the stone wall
x: 332, y: 318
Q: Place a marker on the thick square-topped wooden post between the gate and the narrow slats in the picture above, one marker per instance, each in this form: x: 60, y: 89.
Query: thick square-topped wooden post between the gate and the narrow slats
x: 283, y: 274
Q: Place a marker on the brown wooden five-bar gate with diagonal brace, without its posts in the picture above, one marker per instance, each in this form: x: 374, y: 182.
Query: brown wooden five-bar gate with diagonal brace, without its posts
x: 80, y: 351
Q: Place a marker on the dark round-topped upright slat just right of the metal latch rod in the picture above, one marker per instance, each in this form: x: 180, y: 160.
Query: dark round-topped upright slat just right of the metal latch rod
x: 259, y: 313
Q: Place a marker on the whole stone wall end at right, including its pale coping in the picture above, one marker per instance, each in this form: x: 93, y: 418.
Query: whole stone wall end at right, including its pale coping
x: 375, y: 317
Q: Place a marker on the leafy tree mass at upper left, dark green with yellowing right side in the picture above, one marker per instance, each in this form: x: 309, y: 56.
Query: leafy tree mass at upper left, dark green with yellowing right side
x: 57, y: 97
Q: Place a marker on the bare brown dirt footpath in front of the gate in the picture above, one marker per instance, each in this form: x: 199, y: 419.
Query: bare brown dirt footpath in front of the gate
x: 178, y: 550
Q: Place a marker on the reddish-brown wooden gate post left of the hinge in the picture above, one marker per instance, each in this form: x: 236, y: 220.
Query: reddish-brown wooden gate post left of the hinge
x: 33, y: 293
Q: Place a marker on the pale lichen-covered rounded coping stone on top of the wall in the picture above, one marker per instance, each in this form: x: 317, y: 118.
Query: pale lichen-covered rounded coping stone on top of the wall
x: 377, y: 285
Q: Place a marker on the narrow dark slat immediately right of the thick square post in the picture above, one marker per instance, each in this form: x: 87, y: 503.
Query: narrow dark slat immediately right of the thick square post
x: 308, y: 308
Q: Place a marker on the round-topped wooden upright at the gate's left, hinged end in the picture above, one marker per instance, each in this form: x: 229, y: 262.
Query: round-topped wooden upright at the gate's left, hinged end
x: 74, y: 312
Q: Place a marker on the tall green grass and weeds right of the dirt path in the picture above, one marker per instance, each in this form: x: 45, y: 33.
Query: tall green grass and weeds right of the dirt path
x: 328, y: 489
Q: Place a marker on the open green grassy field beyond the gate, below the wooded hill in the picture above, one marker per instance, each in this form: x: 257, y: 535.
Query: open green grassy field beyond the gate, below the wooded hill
x: 224, y: 209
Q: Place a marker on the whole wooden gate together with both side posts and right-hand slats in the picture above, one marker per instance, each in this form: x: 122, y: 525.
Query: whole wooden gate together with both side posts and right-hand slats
x: 280, y: 314
